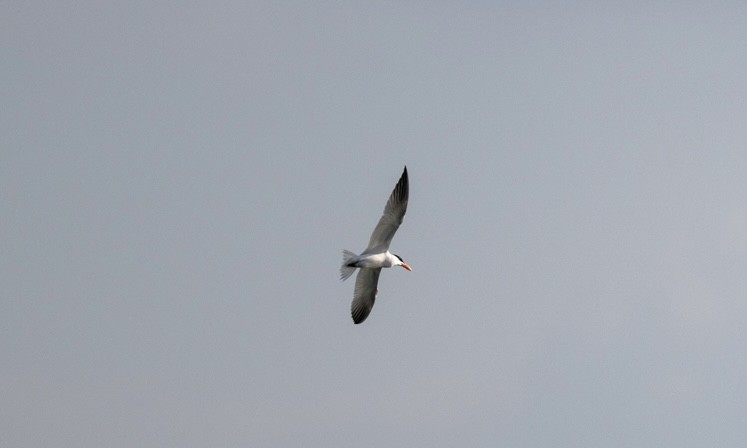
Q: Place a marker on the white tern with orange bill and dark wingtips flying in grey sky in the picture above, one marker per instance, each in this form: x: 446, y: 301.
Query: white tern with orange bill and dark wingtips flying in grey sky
x: 376, y: 255
